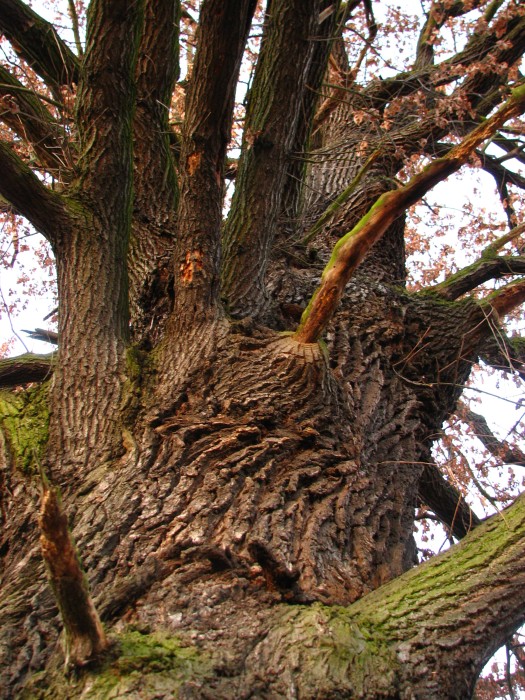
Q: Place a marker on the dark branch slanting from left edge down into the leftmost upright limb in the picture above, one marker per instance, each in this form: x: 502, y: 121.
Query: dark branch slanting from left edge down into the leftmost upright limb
x: 44, y: 208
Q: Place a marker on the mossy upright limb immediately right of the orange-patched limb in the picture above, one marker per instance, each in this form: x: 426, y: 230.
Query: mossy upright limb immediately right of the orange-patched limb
x: 271, y: 124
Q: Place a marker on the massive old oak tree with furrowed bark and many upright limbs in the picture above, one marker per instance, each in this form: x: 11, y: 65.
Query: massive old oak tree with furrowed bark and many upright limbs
x: 236, y: 428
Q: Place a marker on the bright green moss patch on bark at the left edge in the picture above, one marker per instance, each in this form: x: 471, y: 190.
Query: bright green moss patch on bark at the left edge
x: 24, y: 420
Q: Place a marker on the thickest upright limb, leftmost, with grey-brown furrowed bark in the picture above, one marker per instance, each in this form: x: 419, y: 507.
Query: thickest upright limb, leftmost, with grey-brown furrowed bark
x: 93, y: 319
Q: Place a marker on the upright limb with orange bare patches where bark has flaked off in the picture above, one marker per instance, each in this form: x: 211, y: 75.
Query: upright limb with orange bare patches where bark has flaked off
x: 222, y: 34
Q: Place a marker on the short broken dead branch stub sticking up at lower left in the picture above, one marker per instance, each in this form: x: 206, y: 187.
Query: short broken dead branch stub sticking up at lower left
x: 84, y: 635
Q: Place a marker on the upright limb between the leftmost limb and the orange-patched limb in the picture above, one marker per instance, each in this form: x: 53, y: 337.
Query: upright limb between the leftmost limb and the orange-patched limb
x: 154, y: 221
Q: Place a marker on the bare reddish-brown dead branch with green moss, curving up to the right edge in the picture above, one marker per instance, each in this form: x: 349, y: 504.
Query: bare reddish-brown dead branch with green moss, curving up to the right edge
x: 351, y: 248
